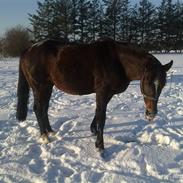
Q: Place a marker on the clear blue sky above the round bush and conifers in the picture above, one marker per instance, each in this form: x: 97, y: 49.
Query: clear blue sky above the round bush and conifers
x: 15, y: 12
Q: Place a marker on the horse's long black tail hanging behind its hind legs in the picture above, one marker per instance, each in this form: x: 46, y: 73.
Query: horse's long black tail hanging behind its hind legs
x: 22, y: 93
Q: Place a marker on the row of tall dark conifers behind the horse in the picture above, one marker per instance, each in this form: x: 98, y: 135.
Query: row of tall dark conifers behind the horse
x: 152, y: 27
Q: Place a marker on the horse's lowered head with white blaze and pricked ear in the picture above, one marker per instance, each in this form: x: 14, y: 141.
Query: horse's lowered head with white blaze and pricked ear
x: 152, y: 83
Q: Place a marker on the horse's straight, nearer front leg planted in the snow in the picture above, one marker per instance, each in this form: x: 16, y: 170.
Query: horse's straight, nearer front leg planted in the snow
x: 102, y: 99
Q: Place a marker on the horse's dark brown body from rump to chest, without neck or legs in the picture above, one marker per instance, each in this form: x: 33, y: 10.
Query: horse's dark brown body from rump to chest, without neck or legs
x: 75, y: 69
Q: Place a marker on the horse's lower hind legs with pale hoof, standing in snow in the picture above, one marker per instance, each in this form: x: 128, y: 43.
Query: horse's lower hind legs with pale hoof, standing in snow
x: 42, y: 96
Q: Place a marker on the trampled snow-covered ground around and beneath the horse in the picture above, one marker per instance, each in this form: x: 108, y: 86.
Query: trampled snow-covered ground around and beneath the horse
x: 136, y: 151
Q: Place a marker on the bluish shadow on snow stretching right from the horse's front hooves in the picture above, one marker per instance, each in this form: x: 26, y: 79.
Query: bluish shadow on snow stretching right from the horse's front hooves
x: 139, y: 127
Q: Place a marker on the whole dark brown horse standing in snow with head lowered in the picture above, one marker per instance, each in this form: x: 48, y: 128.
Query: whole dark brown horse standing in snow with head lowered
x: 103, y: 67
